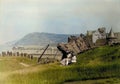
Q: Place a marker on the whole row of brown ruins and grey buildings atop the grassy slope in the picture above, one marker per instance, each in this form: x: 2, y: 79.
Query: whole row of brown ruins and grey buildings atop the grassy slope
x: 76, y: 45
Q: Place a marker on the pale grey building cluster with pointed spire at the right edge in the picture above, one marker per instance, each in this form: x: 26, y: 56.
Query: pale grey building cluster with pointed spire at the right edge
x: 100, y: 37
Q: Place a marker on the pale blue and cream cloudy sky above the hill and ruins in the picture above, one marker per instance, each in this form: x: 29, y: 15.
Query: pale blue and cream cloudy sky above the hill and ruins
x: 20, y: 17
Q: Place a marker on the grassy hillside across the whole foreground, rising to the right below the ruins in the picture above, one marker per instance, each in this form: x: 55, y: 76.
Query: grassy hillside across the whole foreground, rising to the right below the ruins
x: 97, y: 66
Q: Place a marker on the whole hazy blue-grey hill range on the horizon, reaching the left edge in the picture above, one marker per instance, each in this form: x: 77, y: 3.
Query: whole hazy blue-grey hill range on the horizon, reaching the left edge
x: 37, y: 39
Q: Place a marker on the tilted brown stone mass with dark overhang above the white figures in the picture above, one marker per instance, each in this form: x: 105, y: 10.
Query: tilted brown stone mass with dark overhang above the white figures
x: 75, y: 45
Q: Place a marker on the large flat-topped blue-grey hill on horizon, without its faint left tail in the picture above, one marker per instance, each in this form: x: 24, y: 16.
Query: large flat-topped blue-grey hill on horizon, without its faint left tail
x: 37, y: 38
